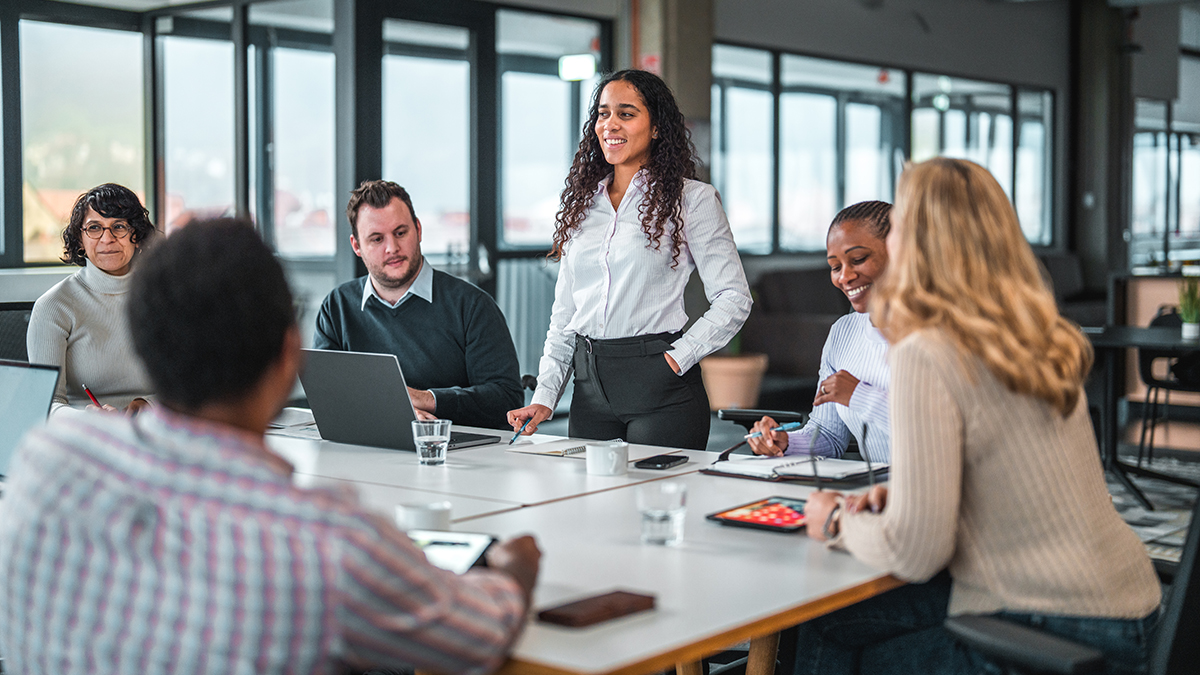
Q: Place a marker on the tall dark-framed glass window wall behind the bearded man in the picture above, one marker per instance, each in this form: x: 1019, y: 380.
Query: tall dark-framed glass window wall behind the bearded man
x: 231, y: 107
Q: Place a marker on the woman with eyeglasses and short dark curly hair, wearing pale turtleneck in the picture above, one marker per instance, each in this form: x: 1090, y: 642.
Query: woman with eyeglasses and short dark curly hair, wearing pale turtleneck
x: 80, y: 325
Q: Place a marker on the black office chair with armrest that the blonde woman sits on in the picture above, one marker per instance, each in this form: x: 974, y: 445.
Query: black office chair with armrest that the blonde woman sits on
x: 1174, y: 649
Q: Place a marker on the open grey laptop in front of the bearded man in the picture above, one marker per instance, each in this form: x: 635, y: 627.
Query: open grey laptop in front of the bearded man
x: 362, y: 399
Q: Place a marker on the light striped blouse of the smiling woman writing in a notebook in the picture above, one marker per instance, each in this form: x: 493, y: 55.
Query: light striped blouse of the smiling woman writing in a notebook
x: 860, y: 349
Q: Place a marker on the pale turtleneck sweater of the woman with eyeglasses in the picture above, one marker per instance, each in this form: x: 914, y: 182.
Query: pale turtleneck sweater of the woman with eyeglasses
x: 81, y: 326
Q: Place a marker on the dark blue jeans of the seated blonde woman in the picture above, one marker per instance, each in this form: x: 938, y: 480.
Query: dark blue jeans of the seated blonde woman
x: 901, y: 632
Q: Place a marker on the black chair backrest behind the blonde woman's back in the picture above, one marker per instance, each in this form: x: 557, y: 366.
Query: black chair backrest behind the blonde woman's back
x: 1177, y: 649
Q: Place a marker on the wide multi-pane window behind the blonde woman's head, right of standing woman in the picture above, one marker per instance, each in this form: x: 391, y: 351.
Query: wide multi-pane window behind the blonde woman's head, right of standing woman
x: 843, y: 138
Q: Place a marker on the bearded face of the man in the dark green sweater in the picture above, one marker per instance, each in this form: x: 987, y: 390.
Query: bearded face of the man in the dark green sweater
x: 389, y: 242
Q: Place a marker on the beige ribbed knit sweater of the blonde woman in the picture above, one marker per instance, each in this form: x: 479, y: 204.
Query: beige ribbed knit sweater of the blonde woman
x: 1001, y: 489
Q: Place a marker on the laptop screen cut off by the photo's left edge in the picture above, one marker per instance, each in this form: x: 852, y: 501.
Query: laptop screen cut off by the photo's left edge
x: 26, y: 396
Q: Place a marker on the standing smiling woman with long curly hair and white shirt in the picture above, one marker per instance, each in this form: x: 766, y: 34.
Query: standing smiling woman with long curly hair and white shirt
x: 633, y: 226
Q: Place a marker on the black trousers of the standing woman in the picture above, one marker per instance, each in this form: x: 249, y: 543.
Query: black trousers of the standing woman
x: 625, y: 389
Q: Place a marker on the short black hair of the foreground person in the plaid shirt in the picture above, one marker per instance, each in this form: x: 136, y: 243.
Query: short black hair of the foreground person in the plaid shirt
x: 209, y: 312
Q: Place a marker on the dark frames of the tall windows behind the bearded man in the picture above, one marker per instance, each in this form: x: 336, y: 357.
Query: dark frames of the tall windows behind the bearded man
x: 253, y: 92
